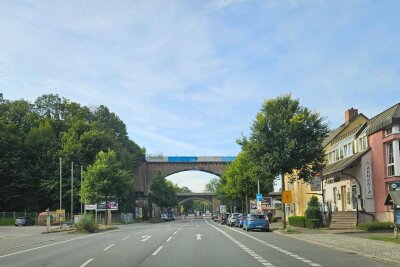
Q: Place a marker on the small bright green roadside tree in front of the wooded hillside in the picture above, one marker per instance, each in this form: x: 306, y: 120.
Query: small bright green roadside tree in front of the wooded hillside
x: 106, y: 180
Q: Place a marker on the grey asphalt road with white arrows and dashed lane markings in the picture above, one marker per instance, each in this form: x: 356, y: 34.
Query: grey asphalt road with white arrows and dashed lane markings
x: 191, y: 243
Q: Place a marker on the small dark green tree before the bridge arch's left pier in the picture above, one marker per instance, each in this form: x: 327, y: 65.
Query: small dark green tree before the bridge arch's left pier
x: 162, y: 192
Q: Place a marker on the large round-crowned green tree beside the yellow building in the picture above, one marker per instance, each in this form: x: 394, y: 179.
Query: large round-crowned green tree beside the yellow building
x: 286, y: 138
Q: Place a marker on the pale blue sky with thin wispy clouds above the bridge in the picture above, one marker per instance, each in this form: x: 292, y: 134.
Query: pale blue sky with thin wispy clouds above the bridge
x: 188, y: 77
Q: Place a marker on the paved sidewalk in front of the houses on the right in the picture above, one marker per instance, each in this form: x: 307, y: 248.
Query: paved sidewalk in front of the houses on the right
x: 351, y: 241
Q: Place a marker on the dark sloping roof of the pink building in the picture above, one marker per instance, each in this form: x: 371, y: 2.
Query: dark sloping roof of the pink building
x: 383, y: 119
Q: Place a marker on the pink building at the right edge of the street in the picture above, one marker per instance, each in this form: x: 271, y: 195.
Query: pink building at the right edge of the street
x: 384, y: 140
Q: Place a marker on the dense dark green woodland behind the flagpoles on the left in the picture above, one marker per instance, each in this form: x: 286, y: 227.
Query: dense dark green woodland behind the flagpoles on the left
x: 33, y: 136
